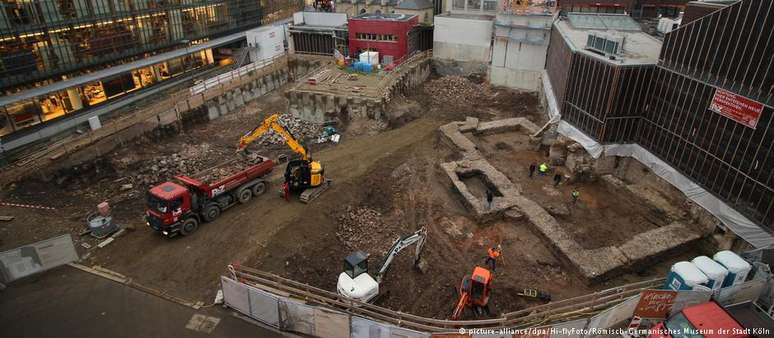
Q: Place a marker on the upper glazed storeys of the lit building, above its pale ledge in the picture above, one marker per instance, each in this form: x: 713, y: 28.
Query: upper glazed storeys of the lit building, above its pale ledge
x: 43, y: 38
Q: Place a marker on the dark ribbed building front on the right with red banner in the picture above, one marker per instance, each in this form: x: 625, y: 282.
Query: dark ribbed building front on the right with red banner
x: 704, y: 105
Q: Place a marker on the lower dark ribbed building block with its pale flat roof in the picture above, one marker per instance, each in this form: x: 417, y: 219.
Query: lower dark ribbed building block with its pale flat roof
x: 599, y: 65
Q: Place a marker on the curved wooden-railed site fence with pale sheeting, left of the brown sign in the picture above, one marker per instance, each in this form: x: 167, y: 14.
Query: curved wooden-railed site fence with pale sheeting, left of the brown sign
x: 252, y: 292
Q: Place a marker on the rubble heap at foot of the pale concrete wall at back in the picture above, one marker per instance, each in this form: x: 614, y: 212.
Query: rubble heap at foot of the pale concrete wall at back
x: 456, y: 90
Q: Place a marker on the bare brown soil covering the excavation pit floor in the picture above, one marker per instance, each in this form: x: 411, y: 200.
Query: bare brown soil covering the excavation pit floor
x: 394, y: 173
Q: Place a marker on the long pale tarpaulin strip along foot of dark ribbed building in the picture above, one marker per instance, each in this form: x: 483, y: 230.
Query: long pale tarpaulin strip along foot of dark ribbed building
x: 736, y: 222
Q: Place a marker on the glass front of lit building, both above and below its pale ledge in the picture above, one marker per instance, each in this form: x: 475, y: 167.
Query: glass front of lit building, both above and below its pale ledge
x: 44, y: 41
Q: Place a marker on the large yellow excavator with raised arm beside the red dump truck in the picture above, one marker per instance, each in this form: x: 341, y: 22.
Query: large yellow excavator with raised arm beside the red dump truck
x: 302, y: 175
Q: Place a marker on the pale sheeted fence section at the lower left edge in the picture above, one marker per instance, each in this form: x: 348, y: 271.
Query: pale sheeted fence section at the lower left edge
x: 36, y: 257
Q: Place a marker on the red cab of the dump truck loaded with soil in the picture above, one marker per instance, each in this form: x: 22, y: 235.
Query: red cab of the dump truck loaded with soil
x: 167, y: 205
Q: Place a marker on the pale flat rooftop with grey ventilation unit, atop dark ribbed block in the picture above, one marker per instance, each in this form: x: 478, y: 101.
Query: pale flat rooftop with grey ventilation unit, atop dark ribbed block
x: 638, y: 47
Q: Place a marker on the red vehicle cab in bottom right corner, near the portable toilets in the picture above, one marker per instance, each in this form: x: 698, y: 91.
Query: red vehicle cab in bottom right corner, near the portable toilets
x: 708, y: 320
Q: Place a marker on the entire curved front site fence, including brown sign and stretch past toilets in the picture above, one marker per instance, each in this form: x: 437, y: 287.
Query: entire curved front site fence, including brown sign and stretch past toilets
x: 293, y: 306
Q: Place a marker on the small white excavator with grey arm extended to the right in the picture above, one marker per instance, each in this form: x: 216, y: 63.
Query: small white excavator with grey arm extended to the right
x: 356, y: 283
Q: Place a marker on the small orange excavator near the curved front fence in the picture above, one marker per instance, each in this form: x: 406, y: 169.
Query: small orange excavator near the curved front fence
x: 474, y: 293
